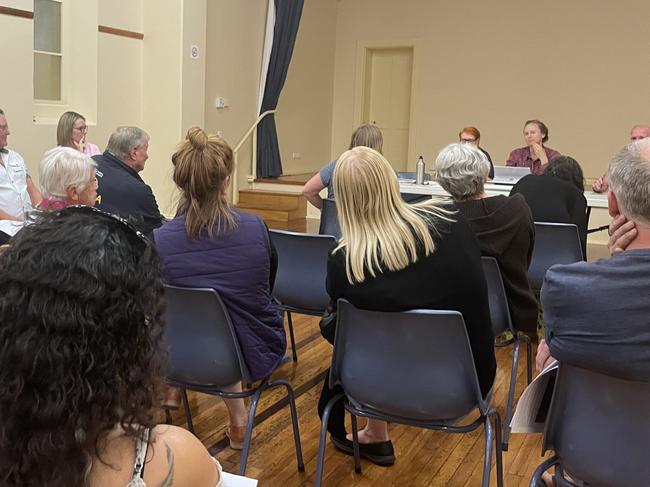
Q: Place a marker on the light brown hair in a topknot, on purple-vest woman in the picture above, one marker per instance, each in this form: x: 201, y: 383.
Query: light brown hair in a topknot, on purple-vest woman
x: 202, y: 165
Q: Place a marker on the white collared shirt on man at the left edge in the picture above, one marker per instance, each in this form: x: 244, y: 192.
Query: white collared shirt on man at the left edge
x: 14, y: 198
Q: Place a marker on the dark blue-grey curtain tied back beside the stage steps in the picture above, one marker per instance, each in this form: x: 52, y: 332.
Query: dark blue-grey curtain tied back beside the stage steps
x: 287, y: 20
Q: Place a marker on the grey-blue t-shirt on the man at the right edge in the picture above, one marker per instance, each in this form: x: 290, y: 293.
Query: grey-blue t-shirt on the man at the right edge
x: 597, y: 314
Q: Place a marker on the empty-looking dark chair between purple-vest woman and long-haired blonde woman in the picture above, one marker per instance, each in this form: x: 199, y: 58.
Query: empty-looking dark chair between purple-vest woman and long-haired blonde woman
x: 300, y: 279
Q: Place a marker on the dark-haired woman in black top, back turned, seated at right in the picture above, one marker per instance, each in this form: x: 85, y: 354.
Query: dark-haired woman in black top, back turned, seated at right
x: 557, y: 196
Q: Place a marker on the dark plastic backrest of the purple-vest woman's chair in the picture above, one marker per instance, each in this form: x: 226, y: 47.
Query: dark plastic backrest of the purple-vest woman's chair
x: 203, y: 346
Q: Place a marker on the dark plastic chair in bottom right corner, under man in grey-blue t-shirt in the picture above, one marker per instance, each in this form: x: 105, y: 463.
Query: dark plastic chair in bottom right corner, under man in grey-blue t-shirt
x: 599, y: 427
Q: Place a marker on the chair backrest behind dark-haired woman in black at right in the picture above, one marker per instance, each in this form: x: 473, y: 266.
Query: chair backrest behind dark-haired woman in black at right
x: 555, y: 243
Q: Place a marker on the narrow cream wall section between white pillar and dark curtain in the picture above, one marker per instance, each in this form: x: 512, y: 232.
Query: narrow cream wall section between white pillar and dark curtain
x: 235, y: 35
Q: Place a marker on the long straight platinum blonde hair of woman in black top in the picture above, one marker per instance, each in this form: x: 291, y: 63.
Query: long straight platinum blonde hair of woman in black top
x: 379, y: 231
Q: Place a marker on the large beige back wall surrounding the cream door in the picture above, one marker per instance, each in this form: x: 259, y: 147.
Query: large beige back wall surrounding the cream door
x: 579, y: 66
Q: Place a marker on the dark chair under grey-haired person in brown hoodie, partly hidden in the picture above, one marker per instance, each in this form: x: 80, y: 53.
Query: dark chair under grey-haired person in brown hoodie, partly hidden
x: 501, y: 323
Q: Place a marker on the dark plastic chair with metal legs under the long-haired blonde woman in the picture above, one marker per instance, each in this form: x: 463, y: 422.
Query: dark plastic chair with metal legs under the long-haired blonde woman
x: 417, y: 369
